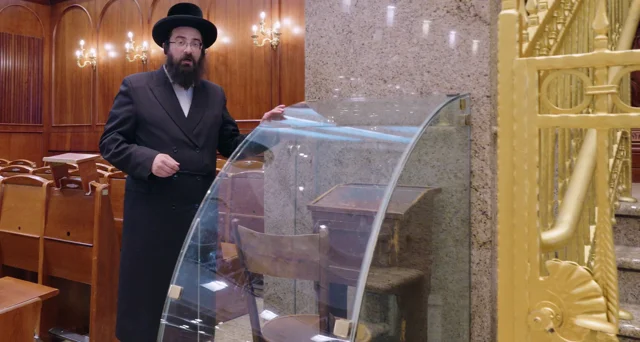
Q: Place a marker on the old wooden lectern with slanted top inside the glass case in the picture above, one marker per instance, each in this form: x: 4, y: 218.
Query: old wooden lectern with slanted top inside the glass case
x: 401, y: 264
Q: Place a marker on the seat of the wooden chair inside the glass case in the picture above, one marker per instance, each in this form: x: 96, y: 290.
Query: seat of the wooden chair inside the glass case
x: 301, y: 328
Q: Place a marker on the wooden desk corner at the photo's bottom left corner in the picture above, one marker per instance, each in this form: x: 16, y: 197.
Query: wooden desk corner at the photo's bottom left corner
x: 20, y: 308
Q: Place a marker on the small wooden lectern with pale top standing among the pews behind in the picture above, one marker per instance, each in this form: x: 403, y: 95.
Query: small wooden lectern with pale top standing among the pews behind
x: 86, y: 168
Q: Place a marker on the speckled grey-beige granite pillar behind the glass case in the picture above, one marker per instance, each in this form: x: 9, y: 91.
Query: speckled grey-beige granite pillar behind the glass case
x: 387, y: 49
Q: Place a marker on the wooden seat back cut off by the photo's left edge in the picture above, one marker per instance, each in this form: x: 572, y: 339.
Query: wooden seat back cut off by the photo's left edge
x: 23, y: 202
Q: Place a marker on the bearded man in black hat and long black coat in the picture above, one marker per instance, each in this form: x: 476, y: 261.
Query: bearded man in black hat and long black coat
x: 163, y: 131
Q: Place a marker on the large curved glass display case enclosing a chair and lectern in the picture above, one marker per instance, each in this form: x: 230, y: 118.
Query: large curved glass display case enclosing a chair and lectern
x: 327, y: 237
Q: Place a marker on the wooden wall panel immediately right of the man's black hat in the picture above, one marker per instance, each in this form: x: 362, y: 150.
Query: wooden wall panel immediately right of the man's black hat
x: 242, y: 69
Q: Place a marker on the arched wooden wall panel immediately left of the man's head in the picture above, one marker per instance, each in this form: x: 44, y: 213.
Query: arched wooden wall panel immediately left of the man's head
x: 117, y: 18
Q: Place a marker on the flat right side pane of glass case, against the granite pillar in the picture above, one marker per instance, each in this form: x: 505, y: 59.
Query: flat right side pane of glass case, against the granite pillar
x: 418, y: 274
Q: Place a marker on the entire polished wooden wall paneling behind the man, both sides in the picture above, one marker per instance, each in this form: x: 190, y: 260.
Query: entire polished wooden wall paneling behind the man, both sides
x: 254, y: 79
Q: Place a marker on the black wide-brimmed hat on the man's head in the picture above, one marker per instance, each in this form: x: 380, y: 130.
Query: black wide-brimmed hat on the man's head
x: 184, y: 14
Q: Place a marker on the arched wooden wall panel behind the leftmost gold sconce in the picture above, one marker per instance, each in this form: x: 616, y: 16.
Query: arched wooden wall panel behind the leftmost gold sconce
x: 73, y: 91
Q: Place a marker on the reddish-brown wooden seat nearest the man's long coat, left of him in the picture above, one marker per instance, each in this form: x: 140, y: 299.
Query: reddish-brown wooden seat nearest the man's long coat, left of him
x: 80, y: 245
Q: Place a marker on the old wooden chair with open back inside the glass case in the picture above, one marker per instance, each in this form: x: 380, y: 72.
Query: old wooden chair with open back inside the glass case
x: 292, y: 257
